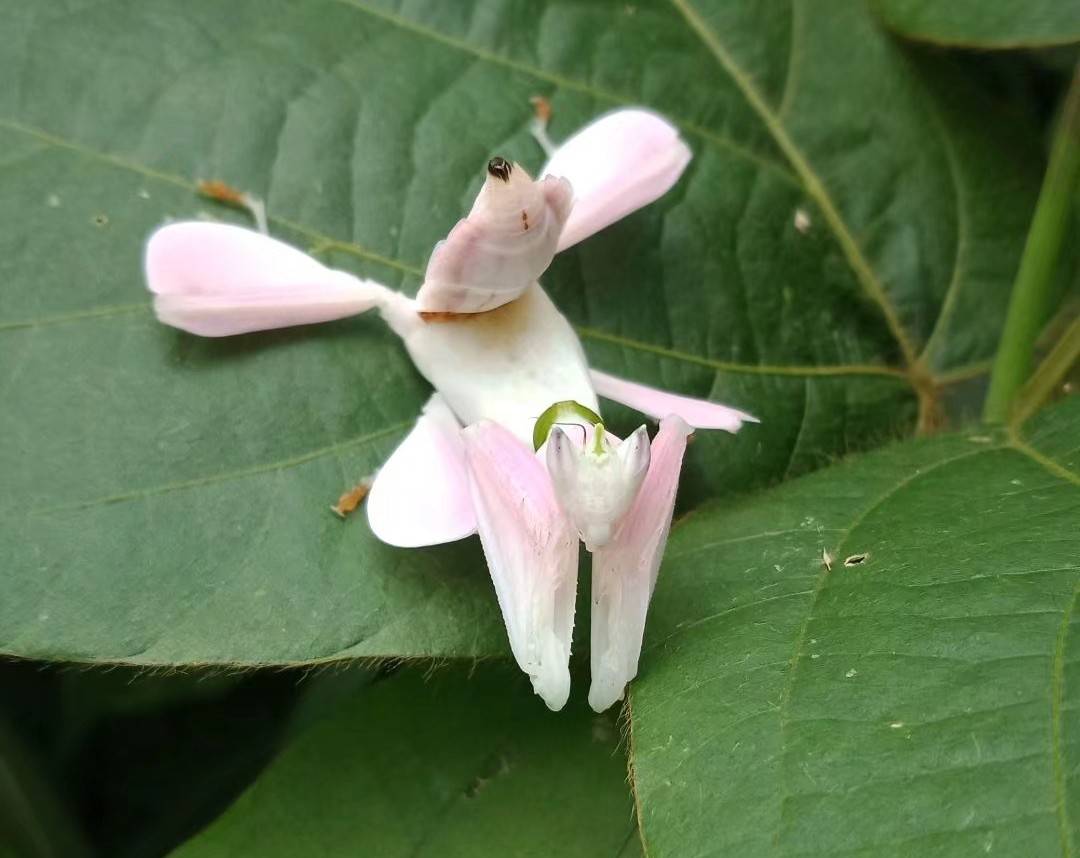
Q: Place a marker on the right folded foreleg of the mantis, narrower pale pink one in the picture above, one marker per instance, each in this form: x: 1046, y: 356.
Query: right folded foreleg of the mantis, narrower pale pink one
x: 625, y: 572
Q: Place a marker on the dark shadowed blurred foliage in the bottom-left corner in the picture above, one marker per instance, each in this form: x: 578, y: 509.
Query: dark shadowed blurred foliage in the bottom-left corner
x: 141, y: 762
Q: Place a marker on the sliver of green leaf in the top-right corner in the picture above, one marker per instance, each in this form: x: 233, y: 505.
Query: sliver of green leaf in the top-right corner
x: 982, y: 24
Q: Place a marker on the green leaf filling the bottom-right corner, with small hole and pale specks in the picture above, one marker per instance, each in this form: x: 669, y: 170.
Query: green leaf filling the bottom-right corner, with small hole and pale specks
x: 922, y: 702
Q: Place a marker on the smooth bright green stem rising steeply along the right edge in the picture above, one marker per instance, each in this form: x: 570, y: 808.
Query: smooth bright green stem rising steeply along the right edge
x: 1032, y: 292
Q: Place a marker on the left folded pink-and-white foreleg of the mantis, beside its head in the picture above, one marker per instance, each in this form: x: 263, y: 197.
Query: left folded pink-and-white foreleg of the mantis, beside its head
x: 532, y: 553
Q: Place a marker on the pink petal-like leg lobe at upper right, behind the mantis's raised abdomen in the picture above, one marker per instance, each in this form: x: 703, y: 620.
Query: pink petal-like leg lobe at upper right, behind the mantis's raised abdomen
x: 617, y: 165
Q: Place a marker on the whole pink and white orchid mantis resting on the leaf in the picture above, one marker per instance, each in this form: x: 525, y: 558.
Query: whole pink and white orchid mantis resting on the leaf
x: 511, y: 445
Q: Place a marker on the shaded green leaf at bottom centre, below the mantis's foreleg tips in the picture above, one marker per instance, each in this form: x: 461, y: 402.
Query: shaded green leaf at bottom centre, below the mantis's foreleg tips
x: 441, y: 767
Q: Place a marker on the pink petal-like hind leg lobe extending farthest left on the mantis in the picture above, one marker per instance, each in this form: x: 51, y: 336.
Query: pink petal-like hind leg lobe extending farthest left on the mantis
x: 218, y: 280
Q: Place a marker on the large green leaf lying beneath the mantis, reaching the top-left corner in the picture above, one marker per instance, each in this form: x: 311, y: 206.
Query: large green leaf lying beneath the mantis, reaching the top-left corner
x: 166, y: 498
